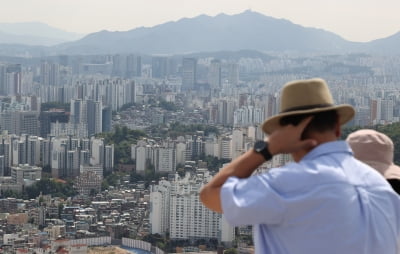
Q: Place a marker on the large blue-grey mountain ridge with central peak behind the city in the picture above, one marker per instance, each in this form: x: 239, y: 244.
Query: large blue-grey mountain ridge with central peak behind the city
x: 245, y: 31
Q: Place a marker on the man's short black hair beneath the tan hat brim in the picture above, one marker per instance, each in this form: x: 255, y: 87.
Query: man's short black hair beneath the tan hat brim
x: 321, y: 122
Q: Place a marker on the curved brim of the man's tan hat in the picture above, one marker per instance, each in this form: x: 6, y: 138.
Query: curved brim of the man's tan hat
x: 346, y: 113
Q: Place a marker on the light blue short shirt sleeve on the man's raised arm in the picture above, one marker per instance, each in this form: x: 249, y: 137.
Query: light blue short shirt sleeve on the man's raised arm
x: 251, y: 201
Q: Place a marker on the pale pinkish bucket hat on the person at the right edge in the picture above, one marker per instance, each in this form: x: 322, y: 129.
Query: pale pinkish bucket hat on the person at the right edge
x: 375, y: 149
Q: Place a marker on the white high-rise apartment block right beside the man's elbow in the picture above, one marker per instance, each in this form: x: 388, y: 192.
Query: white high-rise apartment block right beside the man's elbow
x: 176, y: 208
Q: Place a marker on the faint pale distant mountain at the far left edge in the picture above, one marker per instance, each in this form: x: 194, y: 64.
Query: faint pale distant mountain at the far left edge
x: 34, y: 33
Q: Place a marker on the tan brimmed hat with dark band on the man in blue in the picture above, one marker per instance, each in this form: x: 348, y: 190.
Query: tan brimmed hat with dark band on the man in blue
x: 305, y: 97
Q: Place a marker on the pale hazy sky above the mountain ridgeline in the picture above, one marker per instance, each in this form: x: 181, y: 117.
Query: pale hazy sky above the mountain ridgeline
x: 356, y: 20
